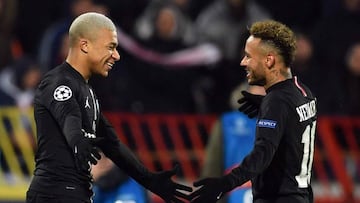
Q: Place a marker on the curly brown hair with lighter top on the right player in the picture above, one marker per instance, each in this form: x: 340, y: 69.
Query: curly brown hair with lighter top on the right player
x: 278, y: 36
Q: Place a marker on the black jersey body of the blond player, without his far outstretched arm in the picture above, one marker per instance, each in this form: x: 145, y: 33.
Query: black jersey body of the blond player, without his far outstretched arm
x: 63, y: 93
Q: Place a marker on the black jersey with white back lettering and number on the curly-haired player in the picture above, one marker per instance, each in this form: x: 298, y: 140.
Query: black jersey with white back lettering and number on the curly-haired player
x: 281, y: 161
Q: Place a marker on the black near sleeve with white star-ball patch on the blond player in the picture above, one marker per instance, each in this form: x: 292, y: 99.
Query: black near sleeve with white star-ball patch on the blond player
x: 59, y: 97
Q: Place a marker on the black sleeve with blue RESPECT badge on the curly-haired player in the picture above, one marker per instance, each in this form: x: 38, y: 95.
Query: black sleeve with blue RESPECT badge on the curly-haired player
x: 269, y: 130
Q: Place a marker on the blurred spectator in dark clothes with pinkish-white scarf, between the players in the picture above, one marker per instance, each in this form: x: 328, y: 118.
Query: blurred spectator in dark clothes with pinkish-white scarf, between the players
x: 157, y: 74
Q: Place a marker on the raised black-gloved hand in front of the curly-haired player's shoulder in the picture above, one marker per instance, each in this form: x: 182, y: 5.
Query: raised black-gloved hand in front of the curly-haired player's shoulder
x: 250, y: 103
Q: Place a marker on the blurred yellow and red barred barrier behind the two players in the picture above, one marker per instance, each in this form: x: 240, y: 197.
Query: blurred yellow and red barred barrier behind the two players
x: 162, y: 140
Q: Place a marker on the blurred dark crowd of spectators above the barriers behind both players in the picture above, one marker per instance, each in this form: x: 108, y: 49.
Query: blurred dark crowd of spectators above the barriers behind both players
x: 183, y: 56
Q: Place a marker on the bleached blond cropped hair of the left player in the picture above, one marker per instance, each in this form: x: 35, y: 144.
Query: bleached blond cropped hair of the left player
x: 86, y: 26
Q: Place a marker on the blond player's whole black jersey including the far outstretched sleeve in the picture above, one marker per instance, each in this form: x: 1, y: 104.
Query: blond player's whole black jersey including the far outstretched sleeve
x: 66, y: 109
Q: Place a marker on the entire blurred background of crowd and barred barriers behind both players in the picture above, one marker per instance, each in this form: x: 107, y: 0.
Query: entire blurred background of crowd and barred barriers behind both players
x: 179, y: 68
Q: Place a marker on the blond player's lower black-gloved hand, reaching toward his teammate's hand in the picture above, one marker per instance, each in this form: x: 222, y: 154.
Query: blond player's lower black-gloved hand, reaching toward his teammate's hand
x: 161, y: 184
